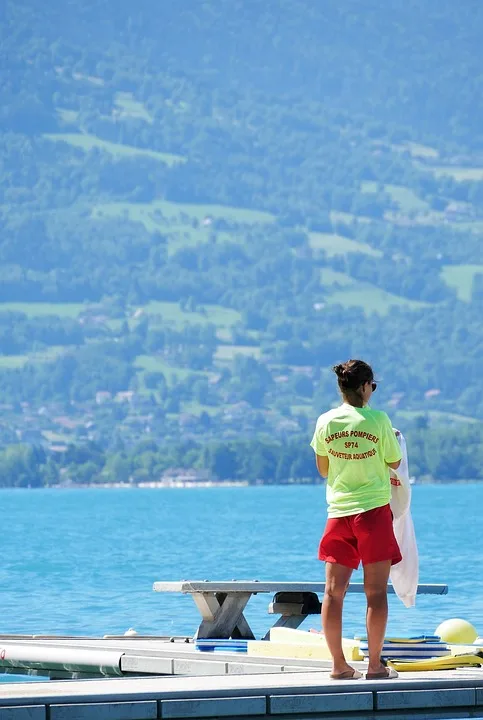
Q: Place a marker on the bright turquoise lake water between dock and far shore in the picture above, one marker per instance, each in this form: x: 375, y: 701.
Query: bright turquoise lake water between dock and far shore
x: 83, y: 562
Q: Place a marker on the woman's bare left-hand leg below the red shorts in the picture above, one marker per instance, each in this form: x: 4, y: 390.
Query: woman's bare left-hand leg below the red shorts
x: 336, y: 581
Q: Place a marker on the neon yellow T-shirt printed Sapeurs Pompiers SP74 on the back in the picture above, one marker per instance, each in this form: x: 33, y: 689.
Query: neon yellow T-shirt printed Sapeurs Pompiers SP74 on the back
x: 359, y: 442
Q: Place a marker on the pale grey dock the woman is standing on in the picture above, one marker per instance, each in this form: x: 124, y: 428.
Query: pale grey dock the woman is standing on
x: 150, y: 678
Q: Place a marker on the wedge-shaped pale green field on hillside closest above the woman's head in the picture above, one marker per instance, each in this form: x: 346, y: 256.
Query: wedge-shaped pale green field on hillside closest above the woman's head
x: 364, y: 295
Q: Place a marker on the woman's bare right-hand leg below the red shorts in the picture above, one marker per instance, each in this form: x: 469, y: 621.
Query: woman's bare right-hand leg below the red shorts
x: 376, y: 576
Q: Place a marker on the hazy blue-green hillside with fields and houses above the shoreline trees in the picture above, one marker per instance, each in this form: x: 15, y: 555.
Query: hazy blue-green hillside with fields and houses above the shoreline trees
x: 203, y: 205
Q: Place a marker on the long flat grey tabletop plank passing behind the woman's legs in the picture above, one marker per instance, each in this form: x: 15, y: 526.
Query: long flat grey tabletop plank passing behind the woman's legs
x: 255, y: 586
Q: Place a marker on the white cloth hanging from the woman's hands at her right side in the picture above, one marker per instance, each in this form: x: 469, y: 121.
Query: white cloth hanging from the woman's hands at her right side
x: 405, y: 575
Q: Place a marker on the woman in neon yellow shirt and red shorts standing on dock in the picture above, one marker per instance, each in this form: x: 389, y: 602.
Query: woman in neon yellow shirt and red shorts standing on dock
x: 355, y: 447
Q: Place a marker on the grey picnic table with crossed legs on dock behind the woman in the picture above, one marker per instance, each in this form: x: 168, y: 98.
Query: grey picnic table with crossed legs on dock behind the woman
x: 221, y: 604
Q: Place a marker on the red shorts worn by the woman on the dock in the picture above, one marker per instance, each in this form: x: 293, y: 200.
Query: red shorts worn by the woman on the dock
x: 367, y: 537
